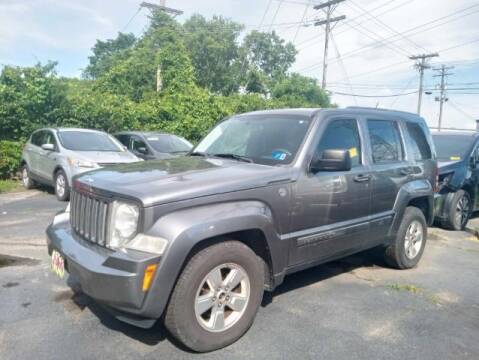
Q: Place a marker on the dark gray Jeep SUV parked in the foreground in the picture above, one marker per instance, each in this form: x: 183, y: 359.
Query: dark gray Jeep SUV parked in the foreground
x: 196, y: 240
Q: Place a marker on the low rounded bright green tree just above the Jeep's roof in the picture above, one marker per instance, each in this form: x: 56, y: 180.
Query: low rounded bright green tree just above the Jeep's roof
x: 297, y: 91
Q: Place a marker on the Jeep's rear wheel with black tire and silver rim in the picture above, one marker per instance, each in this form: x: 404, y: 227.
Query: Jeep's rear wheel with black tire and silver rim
x: 410, y: 241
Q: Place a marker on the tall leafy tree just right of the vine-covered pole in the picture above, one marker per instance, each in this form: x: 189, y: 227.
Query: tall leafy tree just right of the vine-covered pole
x: 213, y: 48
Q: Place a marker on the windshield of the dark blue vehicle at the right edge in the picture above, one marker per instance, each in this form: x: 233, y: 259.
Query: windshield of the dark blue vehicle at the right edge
x: 452, y: 147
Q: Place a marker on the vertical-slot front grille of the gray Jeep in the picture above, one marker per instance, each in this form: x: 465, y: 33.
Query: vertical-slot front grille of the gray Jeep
x: 89, y: 217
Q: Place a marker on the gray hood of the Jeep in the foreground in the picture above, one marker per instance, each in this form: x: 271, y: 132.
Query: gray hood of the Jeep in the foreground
x: 180, y: 178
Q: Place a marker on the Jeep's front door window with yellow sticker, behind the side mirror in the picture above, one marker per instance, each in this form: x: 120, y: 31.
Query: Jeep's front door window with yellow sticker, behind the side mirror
x: 342, y: 135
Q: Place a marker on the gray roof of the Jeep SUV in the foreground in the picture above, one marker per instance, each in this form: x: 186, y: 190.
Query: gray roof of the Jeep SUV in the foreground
x: 309, y: 112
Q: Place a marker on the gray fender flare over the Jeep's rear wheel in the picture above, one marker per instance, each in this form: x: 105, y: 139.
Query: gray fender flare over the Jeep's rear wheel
x: 412, y: 190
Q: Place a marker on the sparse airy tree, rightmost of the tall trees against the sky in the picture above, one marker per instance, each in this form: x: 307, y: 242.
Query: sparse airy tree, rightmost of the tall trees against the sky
x: 268, y: 53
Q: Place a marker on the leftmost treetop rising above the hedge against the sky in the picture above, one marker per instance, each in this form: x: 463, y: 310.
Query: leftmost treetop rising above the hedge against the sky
x: 107, y: 53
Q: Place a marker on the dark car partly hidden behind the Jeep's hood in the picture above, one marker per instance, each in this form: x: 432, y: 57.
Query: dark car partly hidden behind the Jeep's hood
x: 153, y: 145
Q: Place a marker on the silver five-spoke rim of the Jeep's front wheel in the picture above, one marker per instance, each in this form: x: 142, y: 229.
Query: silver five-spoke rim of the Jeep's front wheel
x: 222, y: 297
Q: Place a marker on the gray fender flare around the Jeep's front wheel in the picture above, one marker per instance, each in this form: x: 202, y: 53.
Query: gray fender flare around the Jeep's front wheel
x: 184, y: 229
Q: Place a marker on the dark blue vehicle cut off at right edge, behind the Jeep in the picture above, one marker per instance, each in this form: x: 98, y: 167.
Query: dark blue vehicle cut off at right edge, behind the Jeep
x: 457, y: 198
